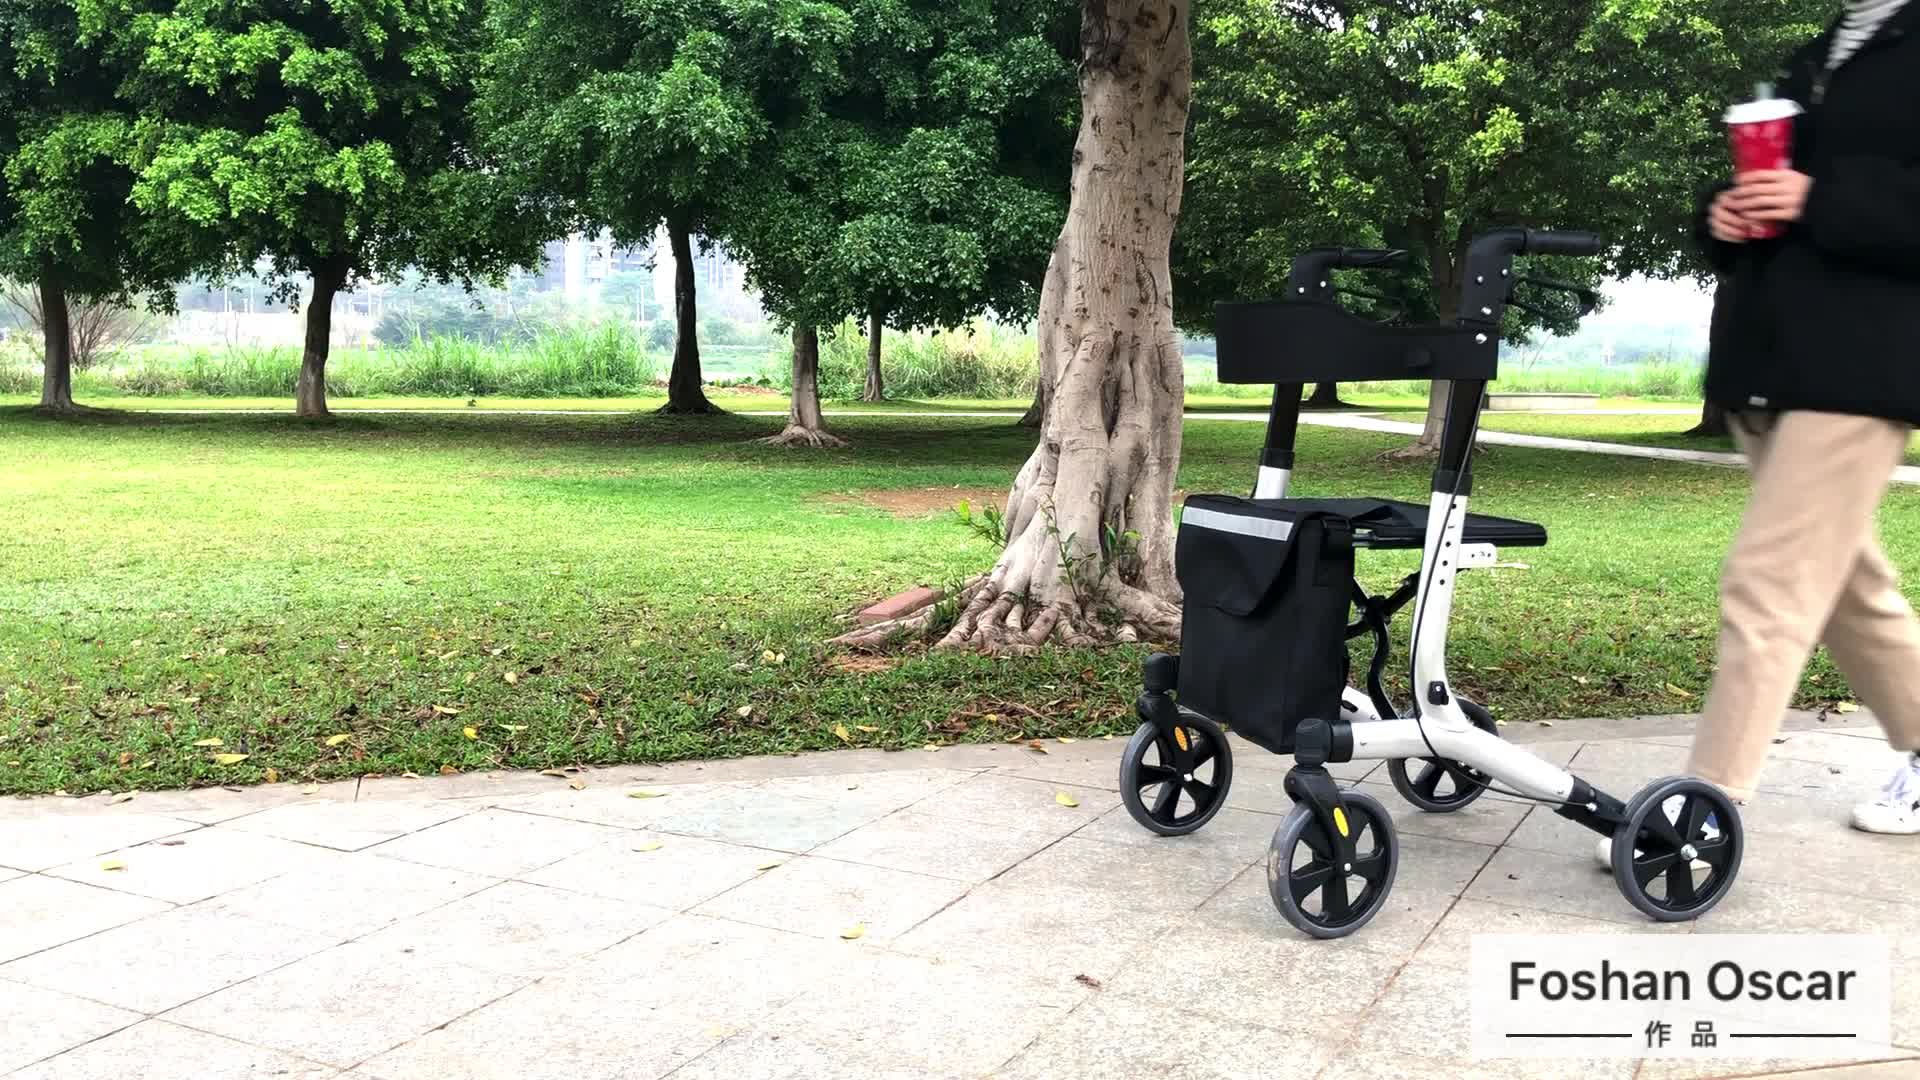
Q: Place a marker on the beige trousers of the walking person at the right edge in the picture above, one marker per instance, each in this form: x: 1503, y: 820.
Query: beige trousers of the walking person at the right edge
x: 1808, y: 570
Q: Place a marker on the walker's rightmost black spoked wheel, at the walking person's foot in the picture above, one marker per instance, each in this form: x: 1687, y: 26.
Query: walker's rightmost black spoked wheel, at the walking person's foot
x: 1679, y: 848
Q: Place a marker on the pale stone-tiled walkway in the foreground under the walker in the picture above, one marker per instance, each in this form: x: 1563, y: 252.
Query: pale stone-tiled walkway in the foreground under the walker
x: 911, y: 916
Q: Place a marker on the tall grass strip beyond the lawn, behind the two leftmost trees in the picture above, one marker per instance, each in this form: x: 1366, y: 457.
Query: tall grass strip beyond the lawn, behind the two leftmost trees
x: 567, y: 362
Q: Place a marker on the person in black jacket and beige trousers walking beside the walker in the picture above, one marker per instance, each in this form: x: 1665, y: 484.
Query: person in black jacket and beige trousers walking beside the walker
x: 1817, y: 358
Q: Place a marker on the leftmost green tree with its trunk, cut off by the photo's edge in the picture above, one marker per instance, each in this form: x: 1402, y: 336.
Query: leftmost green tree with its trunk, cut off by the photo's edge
x: 68, y: 151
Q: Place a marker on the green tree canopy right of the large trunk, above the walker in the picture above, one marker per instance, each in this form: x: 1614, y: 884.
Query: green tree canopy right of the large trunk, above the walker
x: 1420, y: 126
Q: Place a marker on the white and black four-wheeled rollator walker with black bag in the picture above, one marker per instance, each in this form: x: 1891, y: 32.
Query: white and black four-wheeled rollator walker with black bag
x: 1270, y: 612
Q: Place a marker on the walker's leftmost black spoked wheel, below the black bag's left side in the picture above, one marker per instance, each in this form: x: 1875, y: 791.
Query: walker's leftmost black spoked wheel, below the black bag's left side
x: 1176, y: 785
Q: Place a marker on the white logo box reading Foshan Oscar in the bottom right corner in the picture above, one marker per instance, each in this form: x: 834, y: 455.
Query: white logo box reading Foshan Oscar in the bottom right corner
x: 1777, y: 996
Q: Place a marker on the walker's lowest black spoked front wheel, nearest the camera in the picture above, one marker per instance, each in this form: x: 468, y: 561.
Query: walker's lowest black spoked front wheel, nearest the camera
x: 1322, y: 891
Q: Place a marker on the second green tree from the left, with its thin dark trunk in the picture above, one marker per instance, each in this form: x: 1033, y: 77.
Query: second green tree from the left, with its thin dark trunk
x: 329, y: 139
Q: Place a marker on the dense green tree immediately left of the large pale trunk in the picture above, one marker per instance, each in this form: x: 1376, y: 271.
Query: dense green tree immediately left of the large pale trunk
x: 928, y: 185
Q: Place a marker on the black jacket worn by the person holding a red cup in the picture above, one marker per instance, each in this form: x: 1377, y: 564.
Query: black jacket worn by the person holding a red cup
x: 1829, y: 316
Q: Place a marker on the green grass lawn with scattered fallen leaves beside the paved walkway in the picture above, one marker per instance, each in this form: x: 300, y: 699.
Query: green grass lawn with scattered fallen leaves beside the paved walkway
x: 458, y: 593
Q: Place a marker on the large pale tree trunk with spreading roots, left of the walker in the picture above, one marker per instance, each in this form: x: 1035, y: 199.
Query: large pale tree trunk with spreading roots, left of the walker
x: 1090, y: 522
